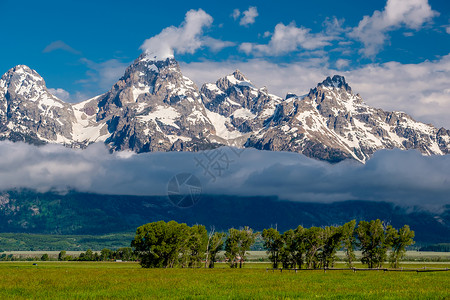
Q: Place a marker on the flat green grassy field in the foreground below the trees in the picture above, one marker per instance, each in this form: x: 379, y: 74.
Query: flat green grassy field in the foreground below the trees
x: 75, y: 280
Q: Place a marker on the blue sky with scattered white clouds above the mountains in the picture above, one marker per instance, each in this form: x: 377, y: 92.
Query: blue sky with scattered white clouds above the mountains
x: 394, y: 53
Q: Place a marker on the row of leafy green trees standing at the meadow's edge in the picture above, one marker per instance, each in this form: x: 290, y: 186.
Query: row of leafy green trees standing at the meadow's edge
x: 171, y: 244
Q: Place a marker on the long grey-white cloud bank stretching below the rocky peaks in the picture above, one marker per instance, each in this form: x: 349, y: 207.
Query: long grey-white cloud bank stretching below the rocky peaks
x: 404, y: 177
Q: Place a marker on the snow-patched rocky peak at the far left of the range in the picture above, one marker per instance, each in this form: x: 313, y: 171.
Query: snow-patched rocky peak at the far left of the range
x: 29, y: 112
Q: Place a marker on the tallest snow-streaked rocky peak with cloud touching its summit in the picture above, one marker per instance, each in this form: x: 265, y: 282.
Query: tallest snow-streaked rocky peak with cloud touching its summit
x: 154, y: 107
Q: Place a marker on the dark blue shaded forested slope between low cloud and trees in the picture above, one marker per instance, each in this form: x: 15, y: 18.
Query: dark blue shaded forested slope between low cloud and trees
x: 27, y: 211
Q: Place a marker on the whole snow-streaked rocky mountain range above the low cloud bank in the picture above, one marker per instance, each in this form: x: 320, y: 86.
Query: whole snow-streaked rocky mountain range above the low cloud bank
x: 154, y: 107
